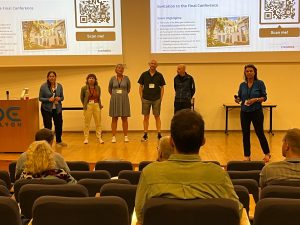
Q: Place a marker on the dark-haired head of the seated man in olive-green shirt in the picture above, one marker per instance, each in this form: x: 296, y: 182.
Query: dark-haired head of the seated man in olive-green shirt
x: 187, y: 131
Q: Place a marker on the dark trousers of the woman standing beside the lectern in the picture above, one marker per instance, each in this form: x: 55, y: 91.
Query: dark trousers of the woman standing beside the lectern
x: 57, y: 119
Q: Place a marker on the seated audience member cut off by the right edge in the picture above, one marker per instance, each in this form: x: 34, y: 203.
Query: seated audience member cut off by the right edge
x: 288, y: 169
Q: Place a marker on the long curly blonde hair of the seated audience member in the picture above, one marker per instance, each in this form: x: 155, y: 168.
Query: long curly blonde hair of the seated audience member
x: 39, y: 158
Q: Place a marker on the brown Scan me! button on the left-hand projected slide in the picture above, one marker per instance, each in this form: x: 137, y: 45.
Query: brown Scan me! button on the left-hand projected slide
x: 95, y: 36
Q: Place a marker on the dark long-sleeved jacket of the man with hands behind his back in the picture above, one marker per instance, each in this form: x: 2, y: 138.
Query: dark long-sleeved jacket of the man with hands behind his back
x: 184, y: 88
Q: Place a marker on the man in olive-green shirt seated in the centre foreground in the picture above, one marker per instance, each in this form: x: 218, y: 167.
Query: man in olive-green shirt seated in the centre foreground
x: 183, y: 175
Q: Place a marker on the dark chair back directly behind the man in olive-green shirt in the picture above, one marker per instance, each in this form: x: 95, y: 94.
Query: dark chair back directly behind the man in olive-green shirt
x: 162, y: 211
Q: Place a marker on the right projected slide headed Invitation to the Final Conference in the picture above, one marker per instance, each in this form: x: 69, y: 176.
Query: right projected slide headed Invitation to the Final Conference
x: 208, y: 26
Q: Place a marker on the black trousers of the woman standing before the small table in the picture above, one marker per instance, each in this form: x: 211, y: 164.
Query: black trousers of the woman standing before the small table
x: 257, y: 119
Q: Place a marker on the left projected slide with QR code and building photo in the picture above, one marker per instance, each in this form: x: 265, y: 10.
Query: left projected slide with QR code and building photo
x: 60, y: 27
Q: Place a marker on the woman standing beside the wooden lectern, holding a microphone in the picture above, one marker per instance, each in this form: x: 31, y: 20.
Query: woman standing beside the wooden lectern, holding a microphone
x: 51, y: 95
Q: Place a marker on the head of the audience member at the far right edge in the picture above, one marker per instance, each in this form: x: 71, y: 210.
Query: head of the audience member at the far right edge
x: 291, y: 144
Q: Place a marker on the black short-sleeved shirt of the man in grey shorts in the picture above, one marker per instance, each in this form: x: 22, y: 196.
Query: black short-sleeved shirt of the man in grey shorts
x: 151, y: 85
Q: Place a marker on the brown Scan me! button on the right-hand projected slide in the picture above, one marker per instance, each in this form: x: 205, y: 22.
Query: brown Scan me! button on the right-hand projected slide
x: 278, y: 32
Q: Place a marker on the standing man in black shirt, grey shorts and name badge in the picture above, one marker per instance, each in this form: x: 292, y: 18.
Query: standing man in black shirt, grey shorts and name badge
x: 151, y: 92
